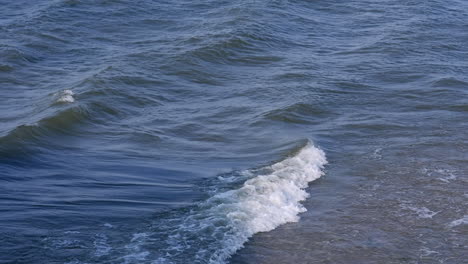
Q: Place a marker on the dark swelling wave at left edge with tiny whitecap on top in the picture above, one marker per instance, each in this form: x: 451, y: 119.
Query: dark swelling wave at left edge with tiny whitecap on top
x: 54, y: 125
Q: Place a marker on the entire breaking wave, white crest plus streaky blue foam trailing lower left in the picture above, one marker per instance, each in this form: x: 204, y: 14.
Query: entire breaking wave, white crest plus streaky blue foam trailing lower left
x: 218, y: 227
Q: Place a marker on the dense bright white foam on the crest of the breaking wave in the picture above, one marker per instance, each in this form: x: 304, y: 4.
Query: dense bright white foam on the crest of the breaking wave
x: 266, y: 201
